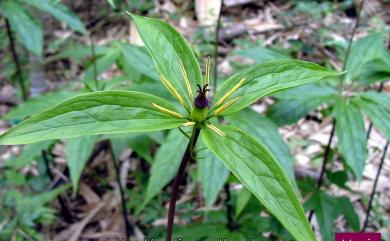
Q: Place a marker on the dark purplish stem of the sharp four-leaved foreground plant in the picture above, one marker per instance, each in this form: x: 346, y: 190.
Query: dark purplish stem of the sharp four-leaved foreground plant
x: 176, y: 183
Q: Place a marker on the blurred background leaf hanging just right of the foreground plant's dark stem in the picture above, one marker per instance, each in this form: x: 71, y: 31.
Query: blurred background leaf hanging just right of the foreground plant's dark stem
x: 212, y: 176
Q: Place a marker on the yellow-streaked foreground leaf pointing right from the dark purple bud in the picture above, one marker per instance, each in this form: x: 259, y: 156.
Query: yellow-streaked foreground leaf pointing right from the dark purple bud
x: 270, y: 77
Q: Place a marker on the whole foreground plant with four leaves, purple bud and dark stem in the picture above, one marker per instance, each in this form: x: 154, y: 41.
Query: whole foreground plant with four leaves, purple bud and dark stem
x: 251, y: 161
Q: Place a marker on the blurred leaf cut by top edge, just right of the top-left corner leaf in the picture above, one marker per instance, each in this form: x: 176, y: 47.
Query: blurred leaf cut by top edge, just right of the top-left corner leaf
x: 59, y: 11
